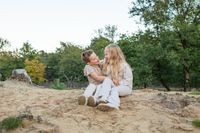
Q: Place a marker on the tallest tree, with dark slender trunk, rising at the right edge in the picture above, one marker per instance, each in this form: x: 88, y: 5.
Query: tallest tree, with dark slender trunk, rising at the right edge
x: 182, y: 17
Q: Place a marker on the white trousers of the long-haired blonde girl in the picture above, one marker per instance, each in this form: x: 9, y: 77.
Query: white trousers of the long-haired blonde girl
x: 111, y: 93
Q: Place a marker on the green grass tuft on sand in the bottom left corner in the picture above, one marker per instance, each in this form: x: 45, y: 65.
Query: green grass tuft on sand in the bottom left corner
x: 10, y: 123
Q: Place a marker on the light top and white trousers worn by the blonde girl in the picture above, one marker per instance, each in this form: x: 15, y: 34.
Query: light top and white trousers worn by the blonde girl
x: 111, y: 93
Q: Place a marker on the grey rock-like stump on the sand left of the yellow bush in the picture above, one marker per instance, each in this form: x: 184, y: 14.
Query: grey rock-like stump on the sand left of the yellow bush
x: 21, y: 75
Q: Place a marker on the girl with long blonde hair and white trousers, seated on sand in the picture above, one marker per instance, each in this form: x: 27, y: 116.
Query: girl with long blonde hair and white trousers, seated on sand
x: 120, y: 79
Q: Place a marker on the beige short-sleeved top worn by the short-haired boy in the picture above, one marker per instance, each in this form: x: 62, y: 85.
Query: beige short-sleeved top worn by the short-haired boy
x: 88, y: 70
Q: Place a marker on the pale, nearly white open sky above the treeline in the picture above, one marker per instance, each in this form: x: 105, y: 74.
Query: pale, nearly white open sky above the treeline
x: 44, y: 23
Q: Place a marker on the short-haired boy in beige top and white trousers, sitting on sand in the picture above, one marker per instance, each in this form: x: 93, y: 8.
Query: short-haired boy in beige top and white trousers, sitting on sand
x: 93, y: 72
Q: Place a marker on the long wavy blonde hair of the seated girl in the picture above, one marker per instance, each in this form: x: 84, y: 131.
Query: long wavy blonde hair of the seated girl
x: 113, y: 66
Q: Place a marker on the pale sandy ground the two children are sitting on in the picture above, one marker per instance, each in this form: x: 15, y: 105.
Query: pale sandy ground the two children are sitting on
x: 54, y: 111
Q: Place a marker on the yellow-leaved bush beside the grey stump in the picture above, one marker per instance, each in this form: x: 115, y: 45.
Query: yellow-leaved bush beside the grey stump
x: 35, y: 69
